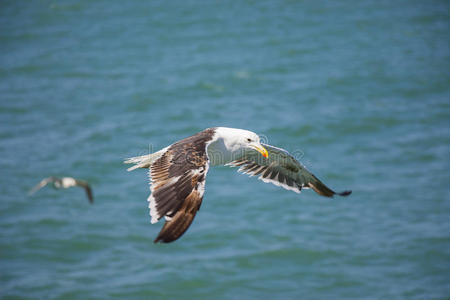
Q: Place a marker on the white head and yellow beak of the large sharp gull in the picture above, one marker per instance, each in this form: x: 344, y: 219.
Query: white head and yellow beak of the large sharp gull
x: 236, y: 140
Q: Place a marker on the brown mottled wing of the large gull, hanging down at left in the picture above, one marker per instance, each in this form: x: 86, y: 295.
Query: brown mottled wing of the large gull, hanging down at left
x: 177, y: 185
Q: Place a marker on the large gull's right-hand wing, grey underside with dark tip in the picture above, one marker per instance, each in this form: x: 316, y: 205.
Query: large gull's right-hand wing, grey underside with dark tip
x: 281, y: 169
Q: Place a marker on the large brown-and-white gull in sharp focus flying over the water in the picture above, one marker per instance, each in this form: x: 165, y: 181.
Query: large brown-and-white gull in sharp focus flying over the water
x: 178, y: 173
